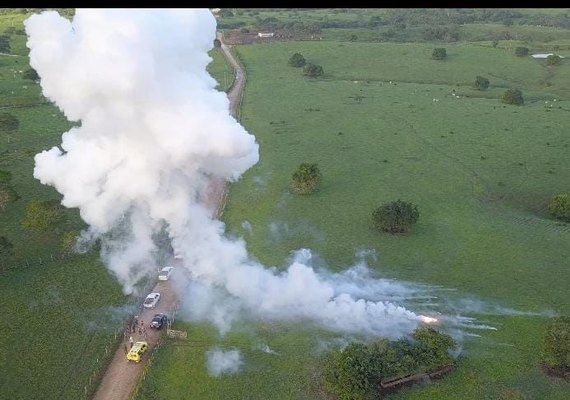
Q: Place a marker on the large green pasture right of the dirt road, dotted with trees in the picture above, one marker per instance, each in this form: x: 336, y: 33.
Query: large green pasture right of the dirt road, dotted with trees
x: 481, y: 173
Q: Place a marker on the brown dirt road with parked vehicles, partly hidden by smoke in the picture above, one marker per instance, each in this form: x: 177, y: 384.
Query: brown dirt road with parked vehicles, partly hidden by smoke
x: 121, y: 375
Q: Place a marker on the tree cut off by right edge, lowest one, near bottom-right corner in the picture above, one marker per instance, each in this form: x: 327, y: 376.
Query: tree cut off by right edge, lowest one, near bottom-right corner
x: 556, y: 350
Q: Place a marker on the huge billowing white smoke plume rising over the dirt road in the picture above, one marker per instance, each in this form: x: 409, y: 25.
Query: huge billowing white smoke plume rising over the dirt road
x: 152, y: 133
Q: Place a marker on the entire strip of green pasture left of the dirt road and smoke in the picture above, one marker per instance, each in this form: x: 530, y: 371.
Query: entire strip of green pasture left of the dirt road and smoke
x: 59, y: 313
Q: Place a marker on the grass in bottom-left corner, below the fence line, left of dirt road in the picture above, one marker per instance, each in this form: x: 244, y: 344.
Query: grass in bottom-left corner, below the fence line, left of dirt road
x: 59, y: 317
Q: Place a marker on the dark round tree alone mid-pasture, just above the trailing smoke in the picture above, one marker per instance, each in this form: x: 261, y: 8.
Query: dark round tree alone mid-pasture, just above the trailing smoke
x: 395, y: 217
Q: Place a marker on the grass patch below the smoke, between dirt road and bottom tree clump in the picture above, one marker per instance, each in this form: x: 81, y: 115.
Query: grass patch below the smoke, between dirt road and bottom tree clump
x: 279, y: 362
